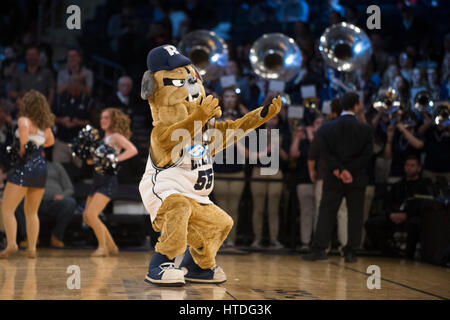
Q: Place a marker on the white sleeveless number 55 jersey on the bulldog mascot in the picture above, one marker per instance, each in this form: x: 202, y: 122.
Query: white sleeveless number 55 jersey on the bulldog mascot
x: 191, y: 176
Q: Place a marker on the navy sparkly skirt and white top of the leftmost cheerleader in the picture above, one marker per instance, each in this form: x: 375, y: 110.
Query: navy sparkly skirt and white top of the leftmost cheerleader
x: 31, y: 173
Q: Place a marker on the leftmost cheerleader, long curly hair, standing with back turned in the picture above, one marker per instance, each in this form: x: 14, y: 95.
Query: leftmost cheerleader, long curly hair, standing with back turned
x: 28, y: 176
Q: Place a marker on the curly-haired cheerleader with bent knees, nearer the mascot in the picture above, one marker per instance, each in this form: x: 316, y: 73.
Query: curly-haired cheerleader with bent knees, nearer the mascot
x: 116, y: 125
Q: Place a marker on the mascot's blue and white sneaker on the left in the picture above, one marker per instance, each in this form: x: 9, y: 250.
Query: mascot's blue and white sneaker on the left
x: 162, y: 271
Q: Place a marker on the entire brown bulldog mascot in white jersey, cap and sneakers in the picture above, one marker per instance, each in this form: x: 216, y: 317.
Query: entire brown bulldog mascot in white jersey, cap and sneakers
x: 176, y: 185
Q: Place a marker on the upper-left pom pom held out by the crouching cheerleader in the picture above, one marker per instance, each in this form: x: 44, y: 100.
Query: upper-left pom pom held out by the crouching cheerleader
x: 85, y: 143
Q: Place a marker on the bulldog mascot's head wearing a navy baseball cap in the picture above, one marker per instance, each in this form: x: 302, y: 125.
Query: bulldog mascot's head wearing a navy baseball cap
x: 171, y: 85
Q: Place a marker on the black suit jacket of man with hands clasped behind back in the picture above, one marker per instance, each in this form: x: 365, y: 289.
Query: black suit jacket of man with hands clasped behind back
x: 347, y: 144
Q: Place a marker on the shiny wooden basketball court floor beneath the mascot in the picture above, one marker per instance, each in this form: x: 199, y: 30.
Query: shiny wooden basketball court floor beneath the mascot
x: 253, y: 276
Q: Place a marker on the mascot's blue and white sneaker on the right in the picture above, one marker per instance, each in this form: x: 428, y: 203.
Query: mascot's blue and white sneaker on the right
x: 193, y: 273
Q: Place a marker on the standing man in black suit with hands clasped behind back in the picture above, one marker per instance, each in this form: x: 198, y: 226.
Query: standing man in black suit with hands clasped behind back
x: 347, y: 146
